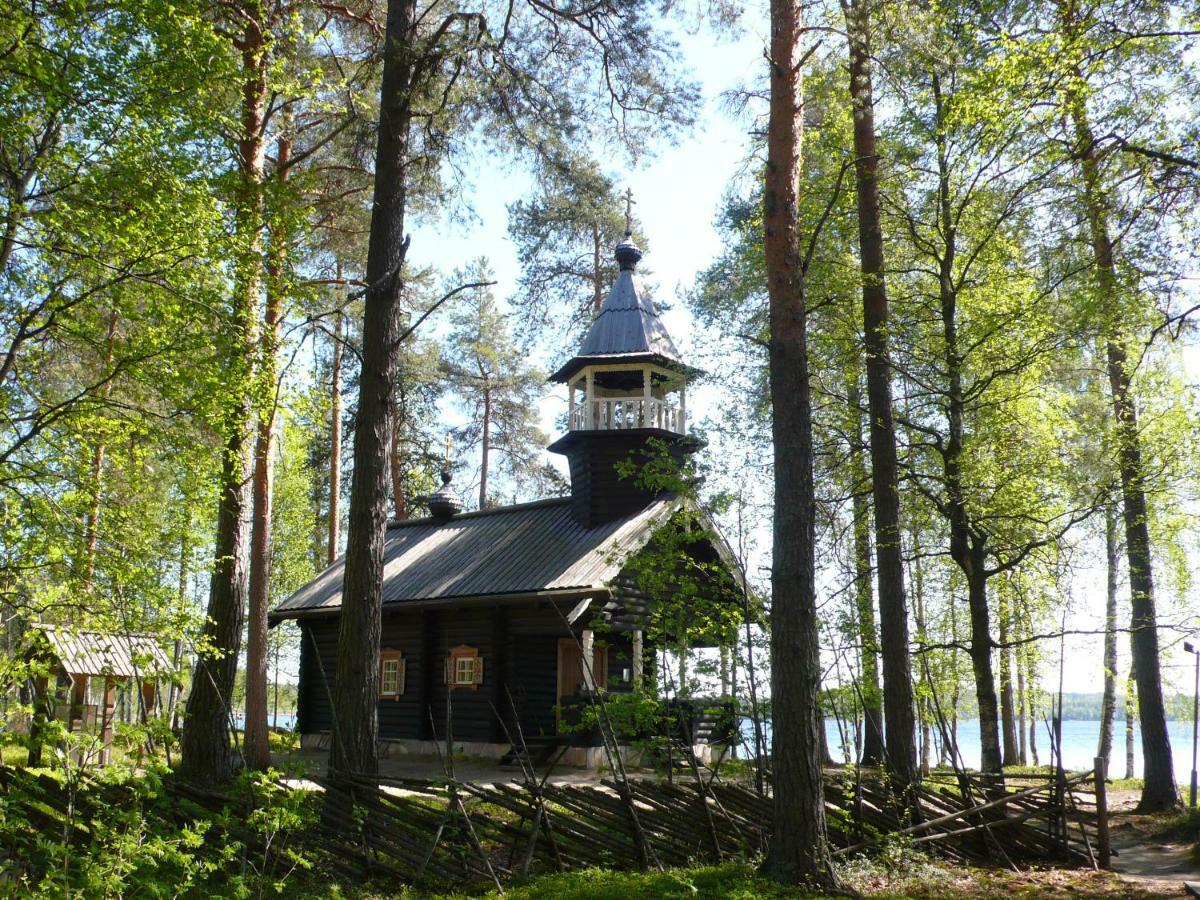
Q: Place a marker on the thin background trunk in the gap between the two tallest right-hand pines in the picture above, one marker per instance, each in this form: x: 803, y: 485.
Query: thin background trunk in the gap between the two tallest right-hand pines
x: 868, y: 638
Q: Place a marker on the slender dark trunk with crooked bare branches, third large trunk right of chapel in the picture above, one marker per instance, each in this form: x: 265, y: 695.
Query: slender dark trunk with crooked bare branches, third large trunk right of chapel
x: 967, y: 549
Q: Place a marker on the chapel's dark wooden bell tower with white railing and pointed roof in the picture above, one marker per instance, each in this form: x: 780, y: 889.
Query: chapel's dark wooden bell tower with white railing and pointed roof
x: 626, y: 386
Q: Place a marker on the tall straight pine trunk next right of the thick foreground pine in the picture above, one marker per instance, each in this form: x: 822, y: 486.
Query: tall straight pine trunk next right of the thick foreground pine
x: 898, y: 703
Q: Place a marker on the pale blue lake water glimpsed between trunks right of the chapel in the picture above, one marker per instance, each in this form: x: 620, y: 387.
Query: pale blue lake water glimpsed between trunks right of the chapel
x: 1079, y: 741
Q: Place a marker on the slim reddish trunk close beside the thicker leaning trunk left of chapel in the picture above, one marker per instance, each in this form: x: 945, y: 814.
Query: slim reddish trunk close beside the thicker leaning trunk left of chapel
x: 257, y: 745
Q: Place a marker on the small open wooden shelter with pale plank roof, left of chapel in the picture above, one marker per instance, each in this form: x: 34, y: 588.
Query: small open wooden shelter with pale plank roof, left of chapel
x: 88, y: 668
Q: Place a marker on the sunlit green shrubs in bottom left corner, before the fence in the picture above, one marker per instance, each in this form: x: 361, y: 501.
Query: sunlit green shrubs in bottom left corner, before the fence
x: 135, y: 836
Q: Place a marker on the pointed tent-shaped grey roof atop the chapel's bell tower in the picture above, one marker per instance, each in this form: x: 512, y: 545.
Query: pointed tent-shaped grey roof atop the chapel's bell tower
x: 628, y: 328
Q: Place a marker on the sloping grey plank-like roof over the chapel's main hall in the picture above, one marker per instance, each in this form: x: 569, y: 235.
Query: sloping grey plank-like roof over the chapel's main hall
x: 523, y: 550
